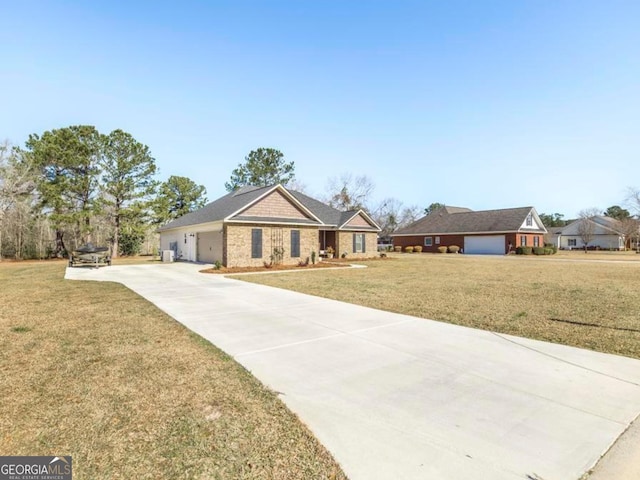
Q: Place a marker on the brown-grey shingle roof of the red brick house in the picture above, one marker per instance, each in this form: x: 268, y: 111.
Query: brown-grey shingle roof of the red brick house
x: 466, y: 221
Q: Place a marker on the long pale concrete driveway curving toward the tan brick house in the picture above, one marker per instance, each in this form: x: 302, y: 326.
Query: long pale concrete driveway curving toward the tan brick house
x: 397, y: 397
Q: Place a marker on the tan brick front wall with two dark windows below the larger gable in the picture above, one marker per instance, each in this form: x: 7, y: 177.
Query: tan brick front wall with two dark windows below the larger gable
x: 237, y: 244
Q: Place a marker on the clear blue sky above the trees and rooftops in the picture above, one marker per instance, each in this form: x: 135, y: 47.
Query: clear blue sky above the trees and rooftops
x: 483, y: 104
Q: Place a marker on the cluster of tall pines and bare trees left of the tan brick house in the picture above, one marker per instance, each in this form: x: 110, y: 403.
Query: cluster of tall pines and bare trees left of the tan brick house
x: 74, y: 185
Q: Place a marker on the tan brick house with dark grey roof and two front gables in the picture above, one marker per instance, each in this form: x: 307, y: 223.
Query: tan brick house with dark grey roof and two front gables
x: 254, y: 225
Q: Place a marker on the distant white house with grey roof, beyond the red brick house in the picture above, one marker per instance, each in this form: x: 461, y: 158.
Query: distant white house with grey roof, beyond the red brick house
x: 607, y: 234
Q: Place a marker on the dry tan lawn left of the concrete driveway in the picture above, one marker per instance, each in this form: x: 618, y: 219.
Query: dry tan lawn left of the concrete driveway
x: 92, y: 370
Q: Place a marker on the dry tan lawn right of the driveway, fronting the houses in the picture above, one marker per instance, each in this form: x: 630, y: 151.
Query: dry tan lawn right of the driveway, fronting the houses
x: 594, y: 304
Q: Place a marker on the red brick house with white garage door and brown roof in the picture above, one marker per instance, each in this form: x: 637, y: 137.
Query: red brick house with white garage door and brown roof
x: 491, y: 232
